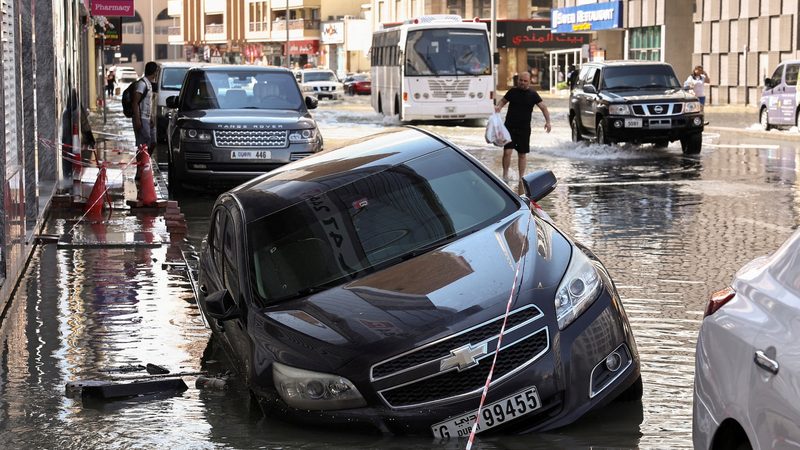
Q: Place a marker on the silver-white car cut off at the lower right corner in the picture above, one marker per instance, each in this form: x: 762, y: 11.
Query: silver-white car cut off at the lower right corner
x: 747, y: 366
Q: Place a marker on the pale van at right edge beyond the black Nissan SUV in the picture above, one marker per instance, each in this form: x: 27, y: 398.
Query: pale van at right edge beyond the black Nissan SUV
x: 779, y: 101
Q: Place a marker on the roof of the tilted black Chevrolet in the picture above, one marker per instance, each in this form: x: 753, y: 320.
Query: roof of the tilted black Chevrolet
x: 327, y: 170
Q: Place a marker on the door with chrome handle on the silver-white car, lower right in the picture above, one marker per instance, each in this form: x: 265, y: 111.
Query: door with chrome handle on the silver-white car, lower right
x: 775, y: 393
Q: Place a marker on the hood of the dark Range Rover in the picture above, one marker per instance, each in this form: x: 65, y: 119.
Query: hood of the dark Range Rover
x: 234, y: 118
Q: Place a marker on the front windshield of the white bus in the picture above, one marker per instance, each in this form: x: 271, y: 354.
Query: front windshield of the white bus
x: 436, y: 52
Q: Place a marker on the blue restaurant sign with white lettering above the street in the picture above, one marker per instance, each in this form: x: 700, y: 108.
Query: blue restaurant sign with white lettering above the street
x: 592, y: 17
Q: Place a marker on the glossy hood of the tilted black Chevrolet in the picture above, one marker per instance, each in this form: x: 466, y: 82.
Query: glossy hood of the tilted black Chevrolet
x: 456, y: 287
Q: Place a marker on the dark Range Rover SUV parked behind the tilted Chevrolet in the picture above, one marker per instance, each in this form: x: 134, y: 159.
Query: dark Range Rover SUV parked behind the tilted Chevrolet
x: 231, y: 123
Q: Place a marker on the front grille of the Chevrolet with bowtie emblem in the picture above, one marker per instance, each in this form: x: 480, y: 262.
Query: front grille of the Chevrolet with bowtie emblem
x: 421, y: 381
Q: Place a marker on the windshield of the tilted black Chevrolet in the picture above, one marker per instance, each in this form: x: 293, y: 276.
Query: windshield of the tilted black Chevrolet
x: 387, y: 217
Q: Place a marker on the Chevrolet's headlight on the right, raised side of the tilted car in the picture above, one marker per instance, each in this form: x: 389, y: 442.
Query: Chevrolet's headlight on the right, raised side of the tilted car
x: 579, y: 289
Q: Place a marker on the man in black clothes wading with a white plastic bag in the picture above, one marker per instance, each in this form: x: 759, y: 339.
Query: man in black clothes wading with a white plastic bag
x: 521, y: 100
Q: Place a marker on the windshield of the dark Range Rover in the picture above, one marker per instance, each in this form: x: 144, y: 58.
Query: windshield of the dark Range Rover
x: 241, y: 90
